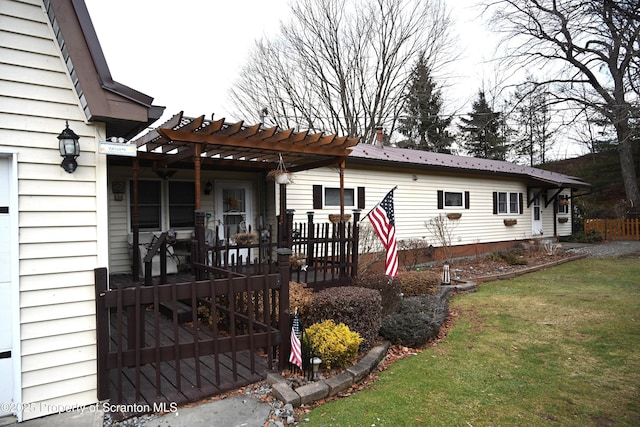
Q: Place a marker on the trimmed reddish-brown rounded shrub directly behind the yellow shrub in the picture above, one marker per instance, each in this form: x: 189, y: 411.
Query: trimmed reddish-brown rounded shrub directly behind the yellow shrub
x: 358, y: 308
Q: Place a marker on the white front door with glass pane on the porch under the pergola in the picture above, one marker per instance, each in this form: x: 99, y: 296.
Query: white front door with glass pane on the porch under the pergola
x: 234, y: 211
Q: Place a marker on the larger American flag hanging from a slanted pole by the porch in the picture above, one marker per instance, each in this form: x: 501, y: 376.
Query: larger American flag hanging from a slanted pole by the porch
x: 383, y: 220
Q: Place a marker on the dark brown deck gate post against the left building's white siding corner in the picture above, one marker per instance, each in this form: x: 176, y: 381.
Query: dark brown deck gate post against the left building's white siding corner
x: 102, y: 333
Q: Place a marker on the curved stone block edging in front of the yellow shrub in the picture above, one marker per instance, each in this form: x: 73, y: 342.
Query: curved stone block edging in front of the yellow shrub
x: 331, y: 386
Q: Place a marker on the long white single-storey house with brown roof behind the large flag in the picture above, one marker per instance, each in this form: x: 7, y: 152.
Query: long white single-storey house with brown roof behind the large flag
x: 488, y: 204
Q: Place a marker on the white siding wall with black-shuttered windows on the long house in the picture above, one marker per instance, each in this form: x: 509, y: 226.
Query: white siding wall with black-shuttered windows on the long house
x: 416, y: 202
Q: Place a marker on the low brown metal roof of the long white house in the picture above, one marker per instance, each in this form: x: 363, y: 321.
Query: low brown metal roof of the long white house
x: 425, y: 159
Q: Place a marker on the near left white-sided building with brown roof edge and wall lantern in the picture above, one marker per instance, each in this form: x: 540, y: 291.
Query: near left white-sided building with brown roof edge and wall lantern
x: 54, y: 223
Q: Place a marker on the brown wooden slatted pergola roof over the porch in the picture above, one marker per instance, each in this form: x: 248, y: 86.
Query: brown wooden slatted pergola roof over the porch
x: 181, y: 139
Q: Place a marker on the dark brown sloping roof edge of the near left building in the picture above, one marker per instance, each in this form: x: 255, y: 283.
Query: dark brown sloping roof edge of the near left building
x: 125, y: 111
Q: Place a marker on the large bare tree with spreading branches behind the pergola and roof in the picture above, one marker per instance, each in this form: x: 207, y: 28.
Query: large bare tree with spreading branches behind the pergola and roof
x: 342, y: 65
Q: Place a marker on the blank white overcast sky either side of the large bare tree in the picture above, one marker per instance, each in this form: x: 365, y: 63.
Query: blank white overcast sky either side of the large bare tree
x: 187, y: 54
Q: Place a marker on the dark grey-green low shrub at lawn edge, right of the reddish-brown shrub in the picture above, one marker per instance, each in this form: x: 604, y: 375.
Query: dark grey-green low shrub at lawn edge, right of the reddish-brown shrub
x: 417, y: 320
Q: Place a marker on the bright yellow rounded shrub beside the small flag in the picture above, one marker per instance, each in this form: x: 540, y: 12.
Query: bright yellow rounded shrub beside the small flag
x: 336, y: 345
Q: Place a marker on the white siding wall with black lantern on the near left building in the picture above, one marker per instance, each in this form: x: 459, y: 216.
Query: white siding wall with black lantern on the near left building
x: 59, y: 222
